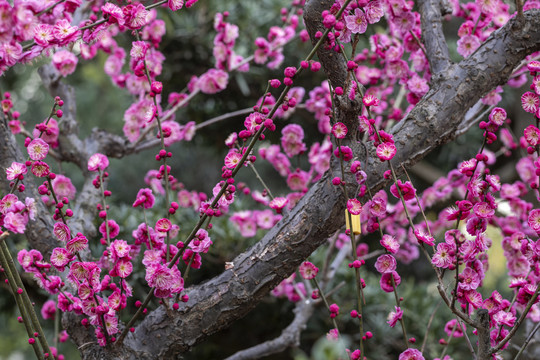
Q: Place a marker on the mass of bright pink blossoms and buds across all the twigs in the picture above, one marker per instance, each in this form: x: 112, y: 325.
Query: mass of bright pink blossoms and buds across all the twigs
x: 99, y: 289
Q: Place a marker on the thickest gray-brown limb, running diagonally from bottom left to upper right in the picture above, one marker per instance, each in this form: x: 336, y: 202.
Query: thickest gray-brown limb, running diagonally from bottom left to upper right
x: 231, y: 295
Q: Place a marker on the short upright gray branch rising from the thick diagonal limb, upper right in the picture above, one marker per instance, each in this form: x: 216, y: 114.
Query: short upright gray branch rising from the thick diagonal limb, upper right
x: 433, y: 37
